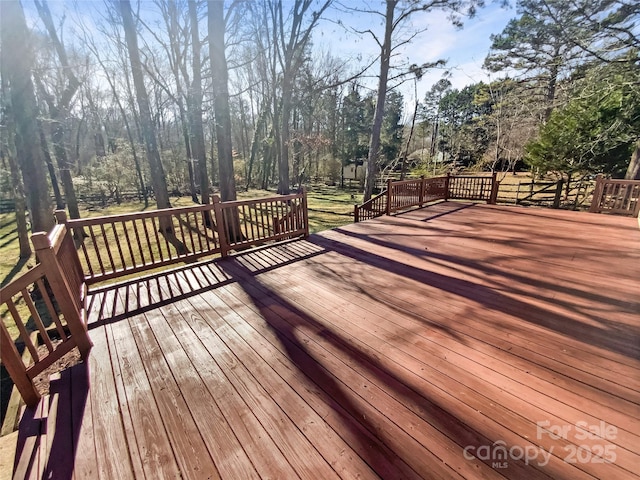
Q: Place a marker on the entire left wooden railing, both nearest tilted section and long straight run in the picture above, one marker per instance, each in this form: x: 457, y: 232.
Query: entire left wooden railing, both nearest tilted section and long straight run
x: 61, y: 277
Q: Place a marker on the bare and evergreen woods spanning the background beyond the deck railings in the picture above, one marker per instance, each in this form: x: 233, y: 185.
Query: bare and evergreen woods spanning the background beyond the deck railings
x: 186, y: 97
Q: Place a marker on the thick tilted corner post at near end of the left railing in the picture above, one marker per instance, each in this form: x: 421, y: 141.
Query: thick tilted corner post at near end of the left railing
x: 62, y: 292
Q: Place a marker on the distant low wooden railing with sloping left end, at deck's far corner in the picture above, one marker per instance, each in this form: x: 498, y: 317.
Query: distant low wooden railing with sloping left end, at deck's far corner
x: 410, y: 193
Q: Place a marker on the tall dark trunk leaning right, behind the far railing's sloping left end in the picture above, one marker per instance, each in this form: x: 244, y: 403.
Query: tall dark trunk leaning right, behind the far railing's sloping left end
x: 374, y: 145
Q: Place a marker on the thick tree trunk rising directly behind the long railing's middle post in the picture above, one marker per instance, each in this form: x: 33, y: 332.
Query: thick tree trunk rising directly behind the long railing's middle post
x: 219, y: 78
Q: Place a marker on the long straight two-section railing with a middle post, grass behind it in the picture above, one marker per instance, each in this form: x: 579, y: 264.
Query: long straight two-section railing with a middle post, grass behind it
x: 116, y: 245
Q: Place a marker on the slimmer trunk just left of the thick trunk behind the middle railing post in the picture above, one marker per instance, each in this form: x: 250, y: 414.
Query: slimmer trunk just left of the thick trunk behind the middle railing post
x: 195, y: 107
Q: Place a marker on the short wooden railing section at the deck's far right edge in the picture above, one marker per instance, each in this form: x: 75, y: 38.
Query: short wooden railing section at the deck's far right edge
x: 620, y: 197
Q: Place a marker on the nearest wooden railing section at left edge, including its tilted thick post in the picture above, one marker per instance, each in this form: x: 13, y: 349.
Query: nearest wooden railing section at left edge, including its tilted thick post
x: 51, y: 292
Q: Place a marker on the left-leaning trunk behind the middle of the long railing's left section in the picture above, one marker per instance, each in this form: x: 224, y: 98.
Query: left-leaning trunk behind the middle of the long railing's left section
x: 146, y: 124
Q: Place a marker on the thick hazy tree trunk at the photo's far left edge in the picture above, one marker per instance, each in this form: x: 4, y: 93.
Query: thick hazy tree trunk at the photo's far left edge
x: 16, y: 68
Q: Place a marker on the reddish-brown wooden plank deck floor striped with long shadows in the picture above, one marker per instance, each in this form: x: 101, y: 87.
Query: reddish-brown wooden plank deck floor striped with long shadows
x: 455, y: 341
